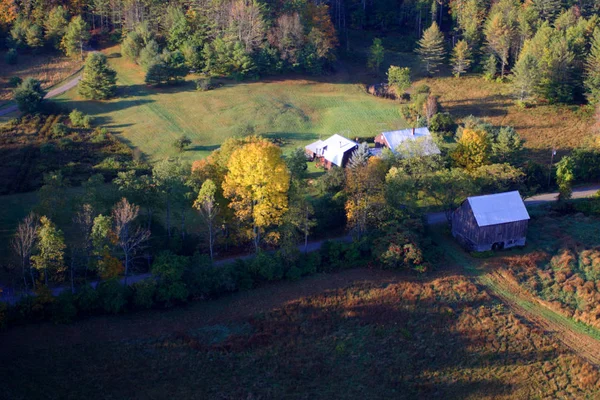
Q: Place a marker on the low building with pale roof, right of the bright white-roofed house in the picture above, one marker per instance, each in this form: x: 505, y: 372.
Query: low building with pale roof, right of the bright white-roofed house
x: 408, y: 141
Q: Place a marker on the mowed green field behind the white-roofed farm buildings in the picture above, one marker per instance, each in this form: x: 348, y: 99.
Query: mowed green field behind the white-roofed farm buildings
x: 297, y: 110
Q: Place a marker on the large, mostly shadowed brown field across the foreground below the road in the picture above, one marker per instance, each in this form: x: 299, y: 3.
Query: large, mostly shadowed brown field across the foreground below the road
x: 356, y: 334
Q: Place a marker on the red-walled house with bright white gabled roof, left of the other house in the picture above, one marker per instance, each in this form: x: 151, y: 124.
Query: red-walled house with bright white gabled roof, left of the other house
x: 335, y: 150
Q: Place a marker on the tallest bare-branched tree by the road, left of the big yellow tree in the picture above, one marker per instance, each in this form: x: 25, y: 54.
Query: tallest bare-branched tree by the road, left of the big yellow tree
x: 129, y: 238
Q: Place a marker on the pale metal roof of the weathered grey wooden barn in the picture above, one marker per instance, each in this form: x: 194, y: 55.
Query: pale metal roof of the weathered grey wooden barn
x: 500, y: 208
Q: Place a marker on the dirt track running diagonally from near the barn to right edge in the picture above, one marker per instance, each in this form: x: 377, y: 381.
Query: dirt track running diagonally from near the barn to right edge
x: 580, y: 338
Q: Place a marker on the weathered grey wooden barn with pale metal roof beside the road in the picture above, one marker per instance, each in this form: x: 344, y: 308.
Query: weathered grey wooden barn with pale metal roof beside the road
x: 491, y: 222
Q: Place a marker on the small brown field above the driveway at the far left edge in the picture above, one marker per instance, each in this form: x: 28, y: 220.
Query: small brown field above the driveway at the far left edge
x: 49, y: 69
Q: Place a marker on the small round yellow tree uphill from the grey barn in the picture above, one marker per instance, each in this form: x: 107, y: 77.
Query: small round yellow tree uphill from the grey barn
x: 473, y: 149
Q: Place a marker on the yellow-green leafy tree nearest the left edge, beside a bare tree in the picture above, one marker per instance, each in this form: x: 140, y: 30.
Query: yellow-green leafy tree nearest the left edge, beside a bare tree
x: 49, y: 257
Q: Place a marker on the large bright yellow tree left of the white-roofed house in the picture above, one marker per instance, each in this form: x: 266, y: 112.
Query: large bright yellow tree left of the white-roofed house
x: 257, y: 184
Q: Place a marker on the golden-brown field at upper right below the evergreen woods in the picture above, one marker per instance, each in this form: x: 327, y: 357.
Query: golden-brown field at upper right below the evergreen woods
x: 542, y: 126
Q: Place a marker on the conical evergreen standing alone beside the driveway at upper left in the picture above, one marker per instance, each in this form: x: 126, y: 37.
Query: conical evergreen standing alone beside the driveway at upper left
x: 98, y: 80
